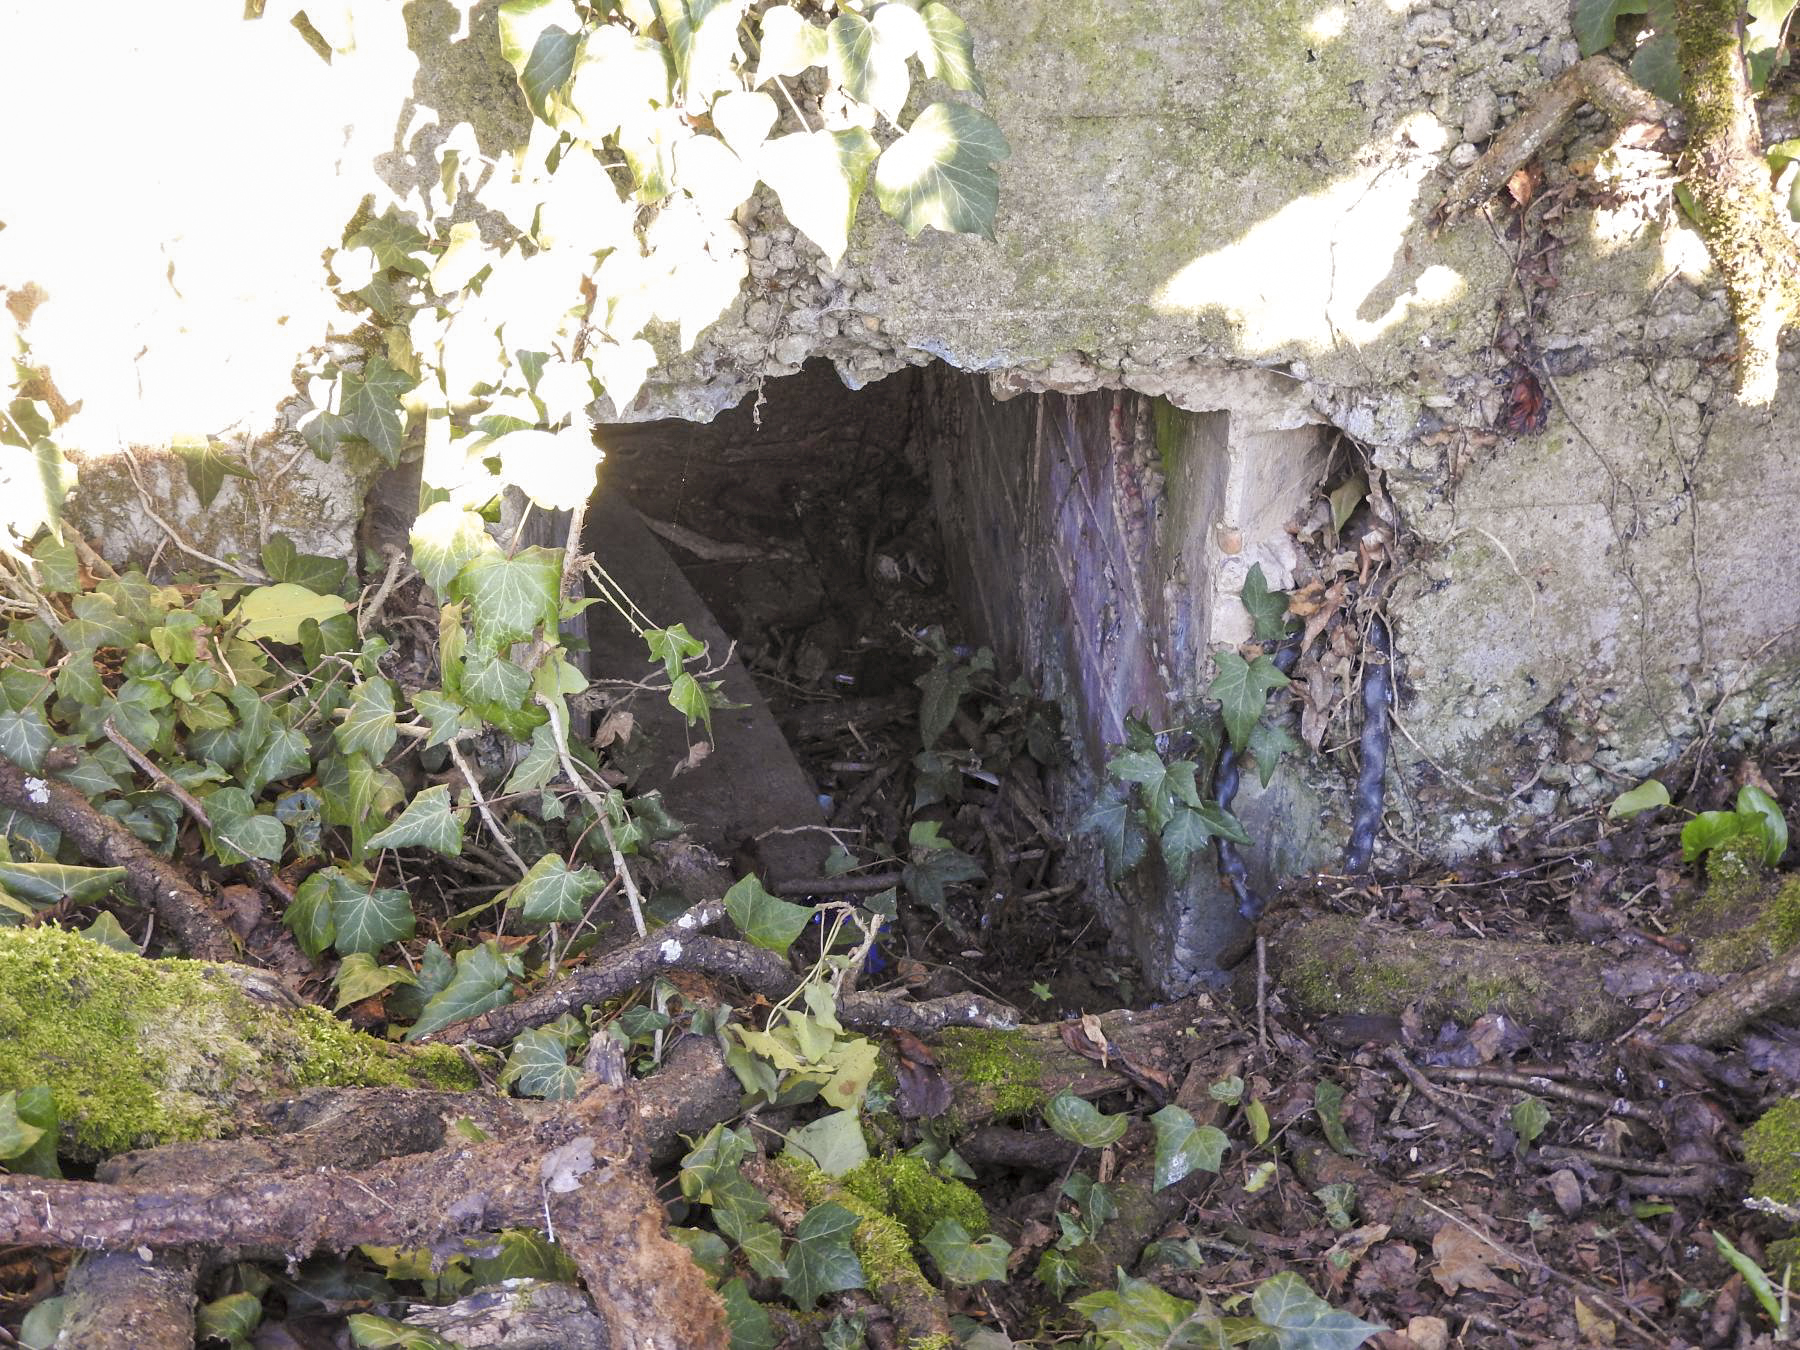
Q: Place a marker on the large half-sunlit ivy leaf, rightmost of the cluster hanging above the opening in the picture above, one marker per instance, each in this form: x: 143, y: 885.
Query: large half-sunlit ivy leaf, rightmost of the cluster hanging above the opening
x: 942, y: 172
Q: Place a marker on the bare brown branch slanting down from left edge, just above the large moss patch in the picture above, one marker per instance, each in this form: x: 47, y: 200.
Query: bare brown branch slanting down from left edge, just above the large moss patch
x: 152, y: 881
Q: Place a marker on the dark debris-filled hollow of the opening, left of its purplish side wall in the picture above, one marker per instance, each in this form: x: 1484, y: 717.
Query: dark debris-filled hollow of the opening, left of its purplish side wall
x: 802, y: 534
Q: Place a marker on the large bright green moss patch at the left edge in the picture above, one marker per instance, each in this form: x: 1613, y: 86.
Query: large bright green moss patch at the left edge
x: 150, y: 1052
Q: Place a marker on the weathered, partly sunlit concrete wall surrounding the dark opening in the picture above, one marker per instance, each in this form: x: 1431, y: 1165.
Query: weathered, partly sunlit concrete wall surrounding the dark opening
x: 1216, y: 202
